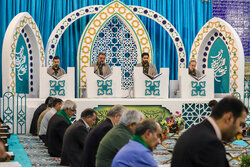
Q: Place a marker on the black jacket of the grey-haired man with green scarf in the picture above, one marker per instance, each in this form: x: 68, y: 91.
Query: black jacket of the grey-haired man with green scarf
x: 55, y: 132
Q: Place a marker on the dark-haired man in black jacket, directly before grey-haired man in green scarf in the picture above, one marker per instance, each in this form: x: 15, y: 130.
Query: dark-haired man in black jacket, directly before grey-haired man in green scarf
x: 74, y: 137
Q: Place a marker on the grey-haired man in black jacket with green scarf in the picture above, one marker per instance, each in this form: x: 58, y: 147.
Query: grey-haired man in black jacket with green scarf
x: 57, y: 127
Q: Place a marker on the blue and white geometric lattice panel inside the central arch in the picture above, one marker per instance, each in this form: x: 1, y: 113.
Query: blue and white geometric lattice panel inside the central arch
x: 115, y: 39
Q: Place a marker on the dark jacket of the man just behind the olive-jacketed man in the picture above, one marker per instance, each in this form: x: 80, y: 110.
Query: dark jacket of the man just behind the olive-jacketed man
x: 92, y: 142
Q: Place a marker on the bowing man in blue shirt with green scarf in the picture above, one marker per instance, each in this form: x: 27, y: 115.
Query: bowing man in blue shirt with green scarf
x: 138, y: 152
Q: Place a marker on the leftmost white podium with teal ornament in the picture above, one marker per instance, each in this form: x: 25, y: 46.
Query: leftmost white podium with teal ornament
x: 64, y: 87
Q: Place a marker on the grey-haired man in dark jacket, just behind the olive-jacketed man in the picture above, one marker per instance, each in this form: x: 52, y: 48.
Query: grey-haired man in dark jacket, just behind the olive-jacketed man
x: 95, y: 136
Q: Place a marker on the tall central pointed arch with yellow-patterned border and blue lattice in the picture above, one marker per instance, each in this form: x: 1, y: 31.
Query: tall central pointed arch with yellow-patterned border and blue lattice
x: 133, y: 29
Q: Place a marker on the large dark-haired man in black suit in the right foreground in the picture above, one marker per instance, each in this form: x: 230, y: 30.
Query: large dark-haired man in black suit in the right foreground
x: 201, y: 145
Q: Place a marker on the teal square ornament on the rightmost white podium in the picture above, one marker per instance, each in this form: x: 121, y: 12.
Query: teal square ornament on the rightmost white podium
x: 198, y: 88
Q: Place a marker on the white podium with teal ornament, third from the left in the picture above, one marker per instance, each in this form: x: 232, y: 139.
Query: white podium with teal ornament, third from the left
x: 145, y: 86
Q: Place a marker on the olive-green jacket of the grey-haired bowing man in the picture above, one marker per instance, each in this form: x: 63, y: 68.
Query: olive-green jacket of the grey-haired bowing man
x: 111, y: 144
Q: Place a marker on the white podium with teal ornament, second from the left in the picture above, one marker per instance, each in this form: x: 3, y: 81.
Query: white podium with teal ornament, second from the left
x: 100, y: 87
